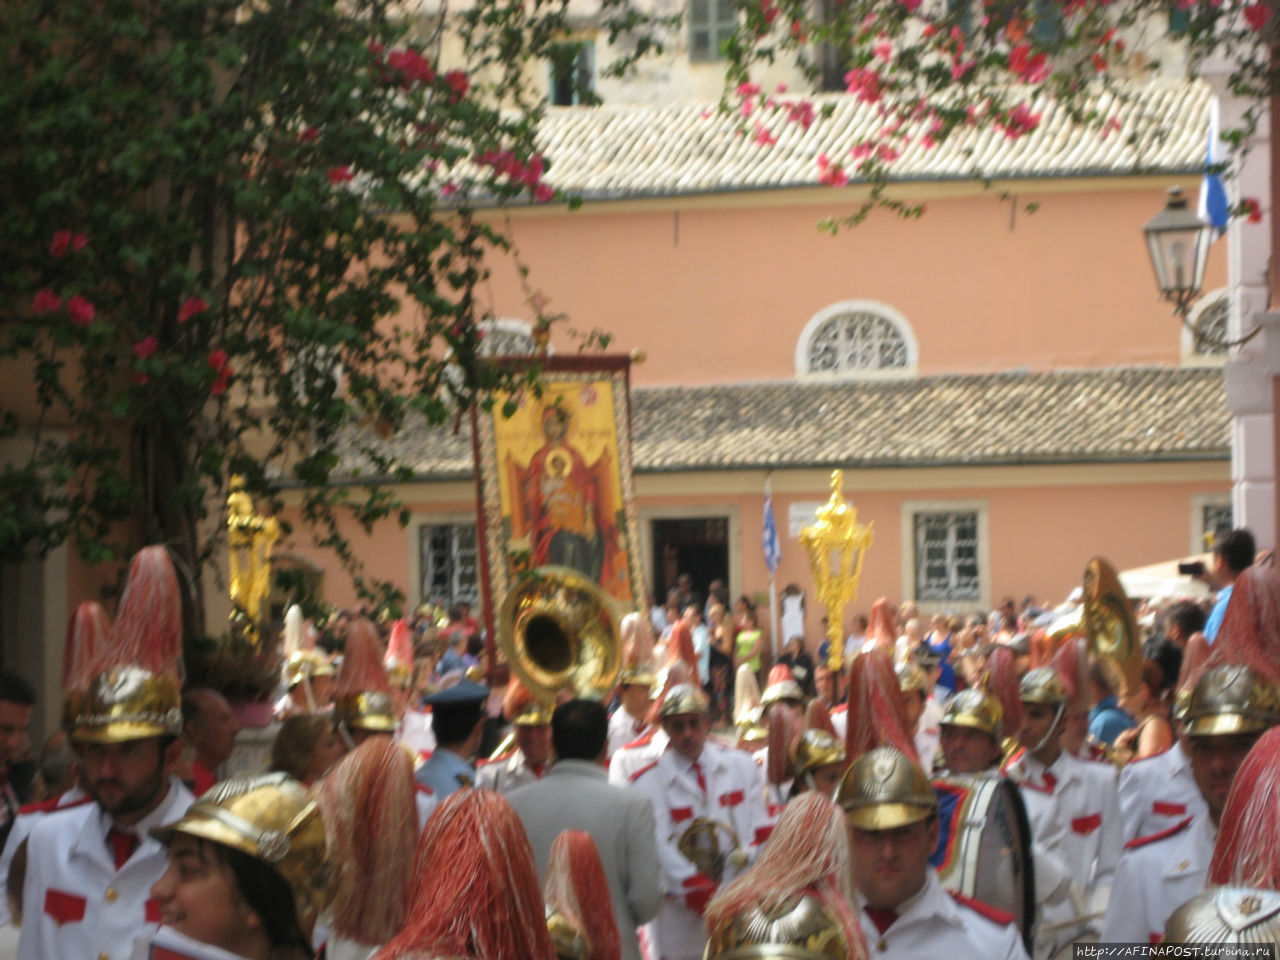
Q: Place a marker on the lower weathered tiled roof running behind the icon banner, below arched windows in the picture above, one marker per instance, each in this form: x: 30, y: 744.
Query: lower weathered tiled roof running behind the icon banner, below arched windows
x: 1087, y: 417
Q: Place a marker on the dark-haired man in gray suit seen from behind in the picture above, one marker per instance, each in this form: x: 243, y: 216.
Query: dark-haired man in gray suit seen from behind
x: 575, y: 796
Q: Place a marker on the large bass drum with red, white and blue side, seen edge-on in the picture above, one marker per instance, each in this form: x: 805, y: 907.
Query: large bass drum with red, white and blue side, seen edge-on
x: 985, y: 845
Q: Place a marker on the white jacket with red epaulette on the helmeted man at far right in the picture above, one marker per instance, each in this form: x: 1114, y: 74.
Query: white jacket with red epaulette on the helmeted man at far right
x: 1158, y: 875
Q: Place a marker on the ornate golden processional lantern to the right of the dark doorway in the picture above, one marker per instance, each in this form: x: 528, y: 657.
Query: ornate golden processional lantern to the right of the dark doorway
x: 836, y: 546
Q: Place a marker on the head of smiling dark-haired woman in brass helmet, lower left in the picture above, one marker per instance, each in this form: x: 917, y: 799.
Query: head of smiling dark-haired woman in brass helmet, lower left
x: 246, y: 874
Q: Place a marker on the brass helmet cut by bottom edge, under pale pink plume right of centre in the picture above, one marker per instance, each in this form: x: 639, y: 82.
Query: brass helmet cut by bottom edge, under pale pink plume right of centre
x: 806, y: 930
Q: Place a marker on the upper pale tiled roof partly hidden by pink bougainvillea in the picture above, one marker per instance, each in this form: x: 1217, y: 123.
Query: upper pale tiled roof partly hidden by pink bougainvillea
x: 623, y: 150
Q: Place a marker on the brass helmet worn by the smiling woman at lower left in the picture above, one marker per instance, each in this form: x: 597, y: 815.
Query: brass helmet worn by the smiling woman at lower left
x: 273, y: 820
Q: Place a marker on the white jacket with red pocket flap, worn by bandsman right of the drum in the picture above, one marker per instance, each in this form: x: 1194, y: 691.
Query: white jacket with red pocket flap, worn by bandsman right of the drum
x: 1089, y: 806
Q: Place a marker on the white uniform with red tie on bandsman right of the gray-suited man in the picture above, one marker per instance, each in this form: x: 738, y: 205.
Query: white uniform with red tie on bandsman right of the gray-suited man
x: 734, y: 798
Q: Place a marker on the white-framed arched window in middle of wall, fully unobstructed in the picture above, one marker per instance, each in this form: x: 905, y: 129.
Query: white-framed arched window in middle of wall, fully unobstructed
x: 857, y: 339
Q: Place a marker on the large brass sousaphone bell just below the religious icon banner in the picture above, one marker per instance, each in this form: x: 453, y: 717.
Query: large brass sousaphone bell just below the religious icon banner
x: 560, y: 632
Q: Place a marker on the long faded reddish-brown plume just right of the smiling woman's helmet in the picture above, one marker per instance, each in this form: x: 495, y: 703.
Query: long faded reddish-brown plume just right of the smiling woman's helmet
x: 372, y: 825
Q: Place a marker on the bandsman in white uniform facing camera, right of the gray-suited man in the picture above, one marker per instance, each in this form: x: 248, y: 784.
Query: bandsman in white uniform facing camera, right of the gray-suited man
x: 705, y: 798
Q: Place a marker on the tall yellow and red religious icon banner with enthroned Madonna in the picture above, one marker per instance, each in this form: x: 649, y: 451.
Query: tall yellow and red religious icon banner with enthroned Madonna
x: 556, y: 481
